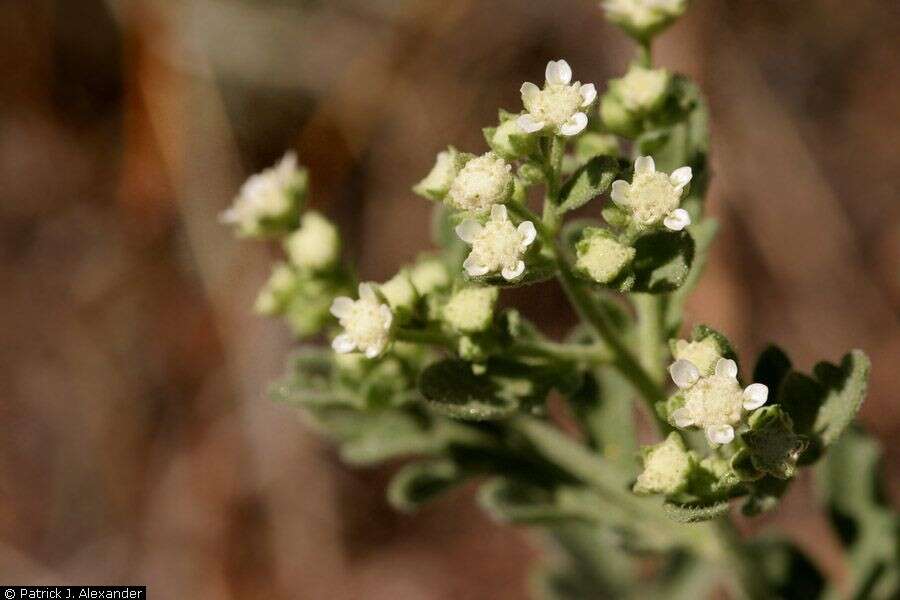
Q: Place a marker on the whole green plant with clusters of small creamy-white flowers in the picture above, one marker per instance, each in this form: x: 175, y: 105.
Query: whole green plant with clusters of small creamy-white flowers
x: 426, y: 366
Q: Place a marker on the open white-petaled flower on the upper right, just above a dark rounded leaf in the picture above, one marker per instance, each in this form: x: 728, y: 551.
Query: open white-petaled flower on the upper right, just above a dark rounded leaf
x: 653, y: 196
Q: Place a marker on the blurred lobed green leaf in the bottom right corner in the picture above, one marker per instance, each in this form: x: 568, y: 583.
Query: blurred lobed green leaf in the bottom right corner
x: 849, y: 481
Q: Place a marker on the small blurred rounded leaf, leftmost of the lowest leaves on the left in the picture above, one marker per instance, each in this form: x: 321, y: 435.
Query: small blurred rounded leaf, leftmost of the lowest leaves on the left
x: 420, y: 482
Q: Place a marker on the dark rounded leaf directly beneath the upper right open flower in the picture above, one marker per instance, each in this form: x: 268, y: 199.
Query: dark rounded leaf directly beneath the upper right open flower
x: 662, y: 262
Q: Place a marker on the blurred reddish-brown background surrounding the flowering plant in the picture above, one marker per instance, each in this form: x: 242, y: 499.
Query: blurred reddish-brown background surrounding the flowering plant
x: 138, y: 445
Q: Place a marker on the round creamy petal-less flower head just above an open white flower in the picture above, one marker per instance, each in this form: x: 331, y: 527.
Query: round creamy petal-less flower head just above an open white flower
x: 482, y: 183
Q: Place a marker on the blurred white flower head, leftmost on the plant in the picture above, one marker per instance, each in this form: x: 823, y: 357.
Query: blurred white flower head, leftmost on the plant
x: 269, y: 196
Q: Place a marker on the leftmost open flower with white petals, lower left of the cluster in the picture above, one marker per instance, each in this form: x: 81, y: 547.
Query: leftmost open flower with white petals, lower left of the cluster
x: 366, y: 323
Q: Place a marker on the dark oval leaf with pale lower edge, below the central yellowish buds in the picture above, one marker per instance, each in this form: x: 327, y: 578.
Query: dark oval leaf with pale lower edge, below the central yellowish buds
x: 452, y: 389
